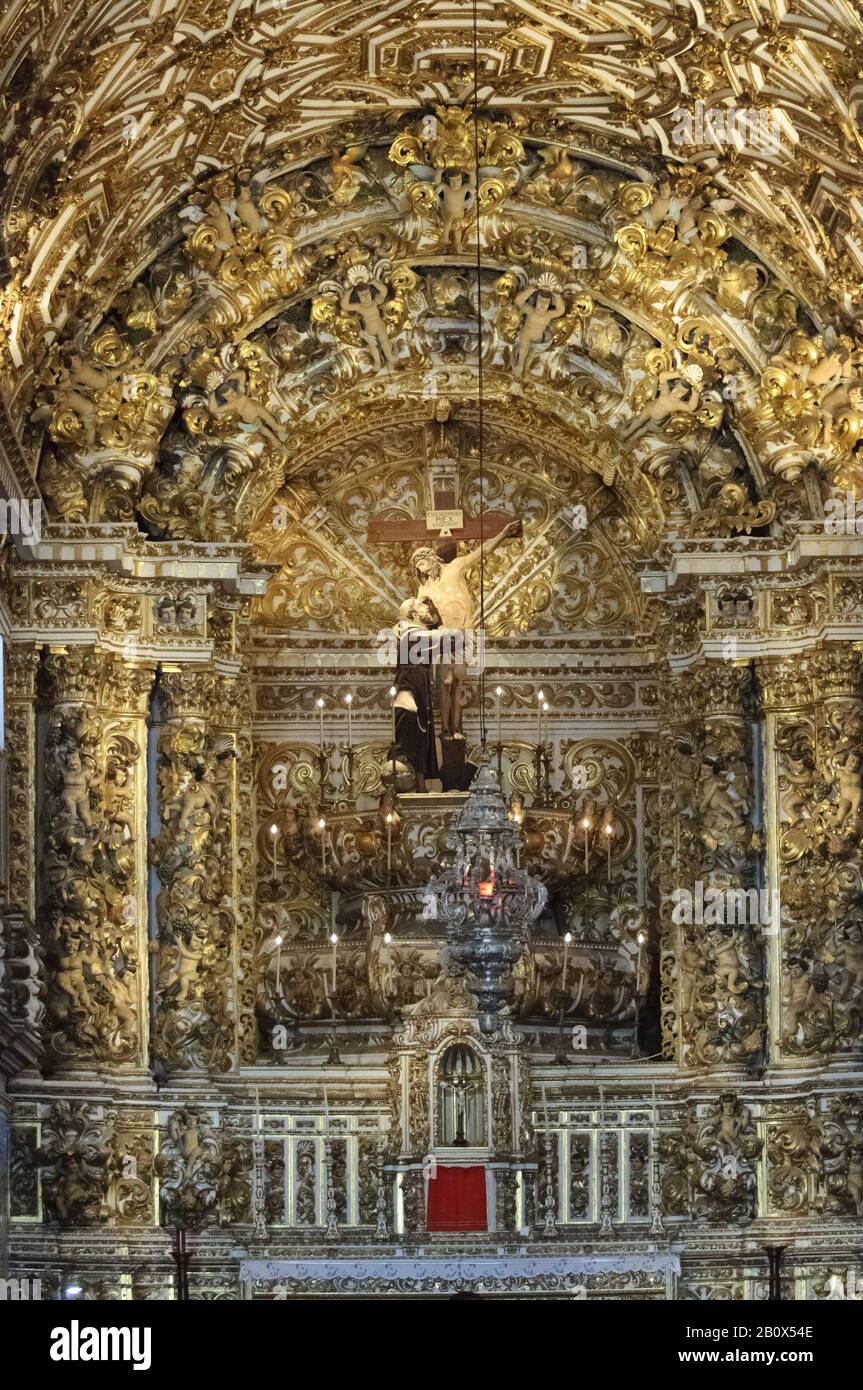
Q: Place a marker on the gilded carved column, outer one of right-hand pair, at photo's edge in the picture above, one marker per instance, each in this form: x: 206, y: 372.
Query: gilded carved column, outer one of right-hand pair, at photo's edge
x: 814, y: 743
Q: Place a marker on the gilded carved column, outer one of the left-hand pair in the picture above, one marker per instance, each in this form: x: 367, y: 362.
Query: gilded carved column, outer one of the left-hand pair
x: 92, y: 832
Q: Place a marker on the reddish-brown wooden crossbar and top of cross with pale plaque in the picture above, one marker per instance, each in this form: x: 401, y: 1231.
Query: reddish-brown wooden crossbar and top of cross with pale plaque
x: 445, y: 523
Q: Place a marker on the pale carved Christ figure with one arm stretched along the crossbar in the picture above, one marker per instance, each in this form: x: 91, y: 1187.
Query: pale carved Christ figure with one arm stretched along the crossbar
x: 444, y: 583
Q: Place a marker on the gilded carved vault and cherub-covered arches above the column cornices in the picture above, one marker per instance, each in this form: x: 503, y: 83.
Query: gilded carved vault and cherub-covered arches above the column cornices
x: 206, y: 205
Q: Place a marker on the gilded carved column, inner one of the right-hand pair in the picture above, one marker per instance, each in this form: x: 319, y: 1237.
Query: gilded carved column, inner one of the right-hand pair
x: 711, y: 903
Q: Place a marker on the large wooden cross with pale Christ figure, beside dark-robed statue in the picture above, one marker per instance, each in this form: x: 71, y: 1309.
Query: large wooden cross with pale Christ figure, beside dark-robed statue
x: 441, y: 576
